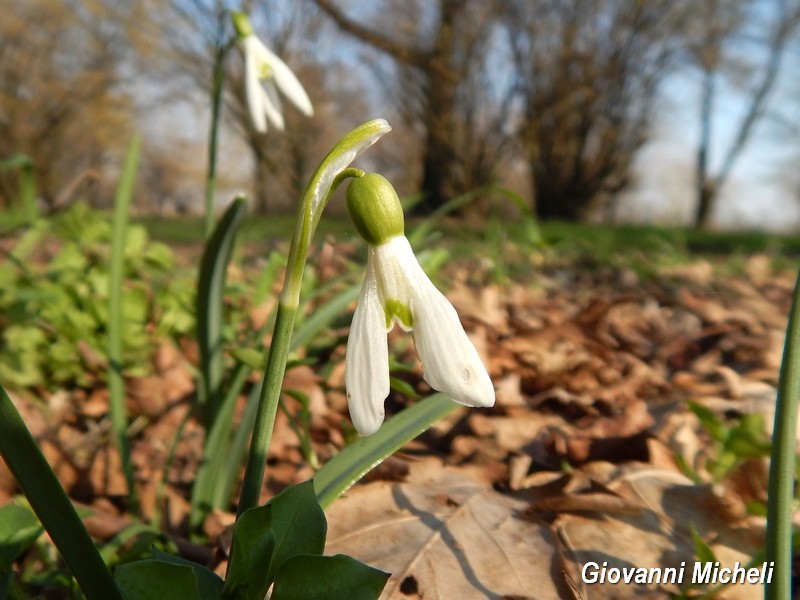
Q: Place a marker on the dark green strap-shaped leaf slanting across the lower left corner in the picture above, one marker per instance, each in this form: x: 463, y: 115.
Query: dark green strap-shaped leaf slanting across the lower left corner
x: 51, y: 504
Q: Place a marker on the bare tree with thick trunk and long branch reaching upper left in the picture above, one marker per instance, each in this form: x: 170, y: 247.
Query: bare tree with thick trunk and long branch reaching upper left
x: 440, y: 53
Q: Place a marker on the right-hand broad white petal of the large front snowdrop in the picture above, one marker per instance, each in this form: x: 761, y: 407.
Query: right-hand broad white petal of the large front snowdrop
x: 450, y: 361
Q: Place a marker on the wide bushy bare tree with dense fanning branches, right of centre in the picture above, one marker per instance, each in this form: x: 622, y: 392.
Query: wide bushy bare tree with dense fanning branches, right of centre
x: 588, y: 76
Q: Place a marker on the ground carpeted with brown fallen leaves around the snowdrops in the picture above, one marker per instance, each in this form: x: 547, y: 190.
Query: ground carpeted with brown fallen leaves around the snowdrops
x: 635, y: 401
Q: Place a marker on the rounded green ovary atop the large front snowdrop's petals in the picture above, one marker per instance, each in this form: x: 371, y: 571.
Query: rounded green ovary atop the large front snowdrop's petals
x: 375, y: 208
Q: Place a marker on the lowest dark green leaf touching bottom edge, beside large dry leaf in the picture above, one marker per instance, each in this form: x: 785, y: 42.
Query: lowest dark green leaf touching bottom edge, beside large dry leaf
x: 337, y: 577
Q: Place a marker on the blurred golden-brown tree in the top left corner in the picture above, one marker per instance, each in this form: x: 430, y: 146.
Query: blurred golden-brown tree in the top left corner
x: 62, y: 98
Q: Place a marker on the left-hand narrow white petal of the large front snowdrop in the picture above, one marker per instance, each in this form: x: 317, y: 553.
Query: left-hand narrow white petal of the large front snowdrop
x: 367, y: 361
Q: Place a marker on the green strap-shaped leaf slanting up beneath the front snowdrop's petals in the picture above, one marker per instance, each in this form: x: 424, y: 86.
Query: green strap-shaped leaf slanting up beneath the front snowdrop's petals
x: 347, y: 467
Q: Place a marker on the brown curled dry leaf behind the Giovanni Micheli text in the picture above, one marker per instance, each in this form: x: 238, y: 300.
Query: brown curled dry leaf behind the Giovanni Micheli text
x: 659, y: 535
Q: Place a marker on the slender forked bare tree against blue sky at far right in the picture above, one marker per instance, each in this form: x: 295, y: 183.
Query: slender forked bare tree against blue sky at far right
x: 732, y: 41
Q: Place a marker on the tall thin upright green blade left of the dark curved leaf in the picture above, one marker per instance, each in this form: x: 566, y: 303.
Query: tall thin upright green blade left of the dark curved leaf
x: 116, y: 383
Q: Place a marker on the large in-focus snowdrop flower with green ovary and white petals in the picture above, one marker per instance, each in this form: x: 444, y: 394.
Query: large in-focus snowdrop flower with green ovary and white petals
x: 397, y: 290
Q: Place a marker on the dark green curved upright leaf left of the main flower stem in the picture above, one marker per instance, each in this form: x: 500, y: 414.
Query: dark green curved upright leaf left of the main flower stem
x: 210, y: 291
